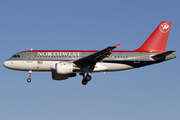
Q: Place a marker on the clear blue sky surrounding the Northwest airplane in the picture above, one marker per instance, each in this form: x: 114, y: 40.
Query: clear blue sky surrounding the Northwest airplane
x: 147, y: 93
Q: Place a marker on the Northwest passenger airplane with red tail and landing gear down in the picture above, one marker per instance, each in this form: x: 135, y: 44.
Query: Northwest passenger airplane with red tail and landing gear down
x: 67, y: 63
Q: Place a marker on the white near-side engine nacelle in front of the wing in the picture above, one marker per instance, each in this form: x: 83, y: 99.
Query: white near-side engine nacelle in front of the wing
x: 64, y: 68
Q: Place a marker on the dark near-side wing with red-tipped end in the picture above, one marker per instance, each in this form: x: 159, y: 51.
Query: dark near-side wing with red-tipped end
x: 90, y: 60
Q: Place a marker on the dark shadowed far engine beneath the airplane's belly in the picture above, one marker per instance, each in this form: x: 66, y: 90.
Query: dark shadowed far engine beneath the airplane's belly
x: 57, y: 76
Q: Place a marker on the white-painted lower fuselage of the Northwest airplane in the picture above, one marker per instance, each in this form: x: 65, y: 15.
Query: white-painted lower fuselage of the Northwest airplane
x: 47, y: 66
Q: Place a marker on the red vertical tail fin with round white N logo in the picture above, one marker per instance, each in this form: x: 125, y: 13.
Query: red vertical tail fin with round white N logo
x: 157, y: 40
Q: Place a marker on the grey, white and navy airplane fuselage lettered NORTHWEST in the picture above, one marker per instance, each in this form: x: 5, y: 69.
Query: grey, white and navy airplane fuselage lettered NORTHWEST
x: 45, y: 60
